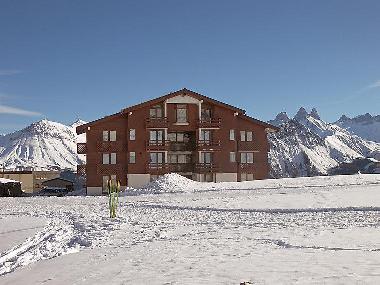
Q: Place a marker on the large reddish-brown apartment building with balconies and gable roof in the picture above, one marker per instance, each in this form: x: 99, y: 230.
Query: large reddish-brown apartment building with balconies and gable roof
x: 182, y: 132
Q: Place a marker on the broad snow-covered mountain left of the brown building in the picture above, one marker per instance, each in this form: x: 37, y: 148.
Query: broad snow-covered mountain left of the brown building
x: 42, y: 145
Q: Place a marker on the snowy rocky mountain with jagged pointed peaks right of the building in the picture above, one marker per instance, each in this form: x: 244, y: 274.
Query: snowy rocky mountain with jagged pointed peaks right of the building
x: 308, y: 146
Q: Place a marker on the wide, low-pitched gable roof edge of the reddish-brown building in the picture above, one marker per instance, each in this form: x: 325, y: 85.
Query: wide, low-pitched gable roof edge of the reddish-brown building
x: 82, y: 128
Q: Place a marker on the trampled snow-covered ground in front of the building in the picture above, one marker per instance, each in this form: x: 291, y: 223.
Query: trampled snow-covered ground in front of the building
x: 320, y: 230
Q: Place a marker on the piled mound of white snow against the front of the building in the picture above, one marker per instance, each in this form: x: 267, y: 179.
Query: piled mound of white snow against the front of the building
x: 169, y: 183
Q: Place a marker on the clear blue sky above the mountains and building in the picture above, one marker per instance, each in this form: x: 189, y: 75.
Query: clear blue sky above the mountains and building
x: 66, y: 59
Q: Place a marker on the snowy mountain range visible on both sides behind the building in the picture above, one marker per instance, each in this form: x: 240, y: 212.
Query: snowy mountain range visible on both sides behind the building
x: 305, y: 145
